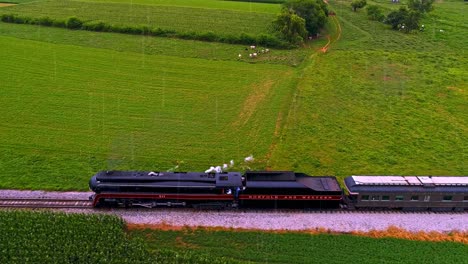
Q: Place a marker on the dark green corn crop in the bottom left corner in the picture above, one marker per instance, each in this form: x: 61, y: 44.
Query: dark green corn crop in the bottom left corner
x: 47, y: 237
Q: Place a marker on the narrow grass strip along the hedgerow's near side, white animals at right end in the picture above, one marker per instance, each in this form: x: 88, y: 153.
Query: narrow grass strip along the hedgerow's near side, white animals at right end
x: 152, y: 45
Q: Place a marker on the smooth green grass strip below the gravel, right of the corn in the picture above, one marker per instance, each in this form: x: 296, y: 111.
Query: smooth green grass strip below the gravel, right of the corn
x: 258, y: 247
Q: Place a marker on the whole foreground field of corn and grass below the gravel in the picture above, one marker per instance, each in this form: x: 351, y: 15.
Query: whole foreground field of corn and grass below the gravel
x: 32, y: 237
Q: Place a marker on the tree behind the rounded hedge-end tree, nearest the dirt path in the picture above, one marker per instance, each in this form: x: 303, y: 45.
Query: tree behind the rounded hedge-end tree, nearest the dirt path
x: 314, y: 12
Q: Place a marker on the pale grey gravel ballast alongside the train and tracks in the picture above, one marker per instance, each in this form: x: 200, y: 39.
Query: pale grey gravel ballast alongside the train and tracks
x: 334, y: 221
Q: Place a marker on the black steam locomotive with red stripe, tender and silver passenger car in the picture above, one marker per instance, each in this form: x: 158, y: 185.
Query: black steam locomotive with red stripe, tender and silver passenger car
x: 277, y: 189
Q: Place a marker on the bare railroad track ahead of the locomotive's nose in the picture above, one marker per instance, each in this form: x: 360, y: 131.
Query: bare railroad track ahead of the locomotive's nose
x: 44, y: 203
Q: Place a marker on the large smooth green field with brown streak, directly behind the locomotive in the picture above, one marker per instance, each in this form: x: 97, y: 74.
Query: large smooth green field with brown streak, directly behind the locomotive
x: 69, y: 111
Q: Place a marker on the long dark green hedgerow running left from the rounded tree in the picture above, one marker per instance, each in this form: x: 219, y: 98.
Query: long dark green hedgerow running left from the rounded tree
x: 100, y: 26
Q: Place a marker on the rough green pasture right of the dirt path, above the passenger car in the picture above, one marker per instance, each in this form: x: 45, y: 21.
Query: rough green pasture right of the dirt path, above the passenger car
x: 381, y: 102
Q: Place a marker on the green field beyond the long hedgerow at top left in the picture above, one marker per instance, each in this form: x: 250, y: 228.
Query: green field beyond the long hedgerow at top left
x: 180, y: 19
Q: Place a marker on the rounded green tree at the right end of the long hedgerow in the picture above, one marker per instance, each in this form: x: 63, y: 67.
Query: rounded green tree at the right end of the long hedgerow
x: 290, y: 27
